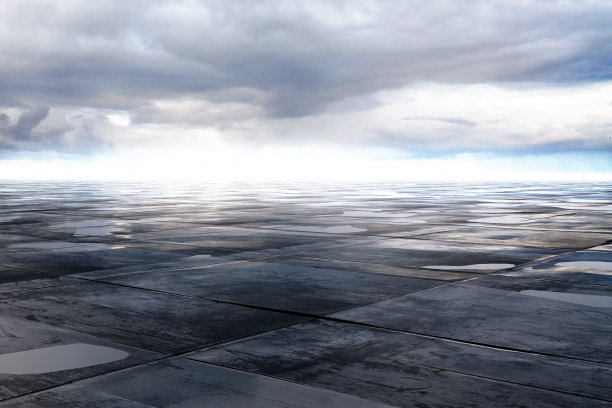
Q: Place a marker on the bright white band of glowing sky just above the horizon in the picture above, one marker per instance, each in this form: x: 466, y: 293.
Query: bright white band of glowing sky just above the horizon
x: 312, y: 163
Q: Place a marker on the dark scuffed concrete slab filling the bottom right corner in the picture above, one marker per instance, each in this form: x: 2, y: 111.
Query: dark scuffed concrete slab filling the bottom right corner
x: 401, y: 369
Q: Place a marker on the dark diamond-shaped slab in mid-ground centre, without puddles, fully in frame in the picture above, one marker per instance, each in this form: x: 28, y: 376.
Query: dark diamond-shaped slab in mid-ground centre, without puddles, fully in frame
x: 281, y: 286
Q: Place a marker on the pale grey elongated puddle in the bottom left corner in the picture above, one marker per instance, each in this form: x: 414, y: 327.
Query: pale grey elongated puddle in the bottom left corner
x: 58, y: 358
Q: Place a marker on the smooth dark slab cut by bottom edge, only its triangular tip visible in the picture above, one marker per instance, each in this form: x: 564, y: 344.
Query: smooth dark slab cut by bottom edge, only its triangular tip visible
x: 182, y: 383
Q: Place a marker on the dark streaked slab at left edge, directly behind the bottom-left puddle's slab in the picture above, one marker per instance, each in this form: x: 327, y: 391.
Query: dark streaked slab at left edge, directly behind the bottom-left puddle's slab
x: 140, y: 318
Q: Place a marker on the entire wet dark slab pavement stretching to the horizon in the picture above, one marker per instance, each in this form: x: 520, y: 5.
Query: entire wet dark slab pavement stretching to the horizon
x: 313, y: 295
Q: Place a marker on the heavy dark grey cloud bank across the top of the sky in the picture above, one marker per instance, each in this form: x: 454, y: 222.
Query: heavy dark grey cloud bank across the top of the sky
x: 277, y: 59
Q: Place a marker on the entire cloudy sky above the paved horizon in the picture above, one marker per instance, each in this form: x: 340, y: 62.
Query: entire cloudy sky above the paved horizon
x: 313, y: 89
